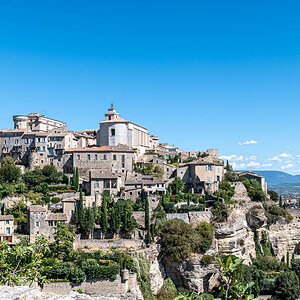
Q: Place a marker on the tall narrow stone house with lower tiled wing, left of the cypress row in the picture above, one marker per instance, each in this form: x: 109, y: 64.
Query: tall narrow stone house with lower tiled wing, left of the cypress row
x: 44, y: 222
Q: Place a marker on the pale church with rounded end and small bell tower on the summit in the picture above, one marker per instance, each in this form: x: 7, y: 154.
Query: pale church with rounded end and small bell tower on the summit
x: 116, y: 131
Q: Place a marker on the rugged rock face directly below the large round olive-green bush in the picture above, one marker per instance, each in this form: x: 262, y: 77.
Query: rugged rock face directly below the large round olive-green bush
x: 193, y: 275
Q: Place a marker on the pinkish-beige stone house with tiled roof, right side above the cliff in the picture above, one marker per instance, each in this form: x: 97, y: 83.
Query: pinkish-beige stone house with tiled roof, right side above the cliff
x: 203, y: 174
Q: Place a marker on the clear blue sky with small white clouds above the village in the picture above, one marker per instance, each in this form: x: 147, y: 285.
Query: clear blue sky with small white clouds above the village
x: 200, y: 74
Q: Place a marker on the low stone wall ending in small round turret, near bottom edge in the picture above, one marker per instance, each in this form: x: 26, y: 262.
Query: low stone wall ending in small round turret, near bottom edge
x: 98, y: 287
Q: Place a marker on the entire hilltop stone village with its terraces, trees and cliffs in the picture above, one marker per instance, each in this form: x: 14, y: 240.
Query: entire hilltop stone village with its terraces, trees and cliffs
x: 113, y: 212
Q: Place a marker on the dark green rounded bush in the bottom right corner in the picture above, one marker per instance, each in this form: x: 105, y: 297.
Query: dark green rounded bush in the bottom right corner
x: 287, y: 284
